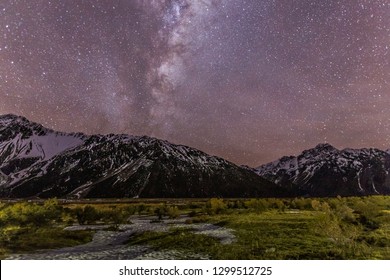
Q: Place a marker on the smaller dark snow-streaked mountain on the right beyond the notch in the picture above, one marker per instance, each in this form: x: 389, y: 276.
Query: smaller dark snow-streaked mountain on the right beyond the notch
x: 327, y: 171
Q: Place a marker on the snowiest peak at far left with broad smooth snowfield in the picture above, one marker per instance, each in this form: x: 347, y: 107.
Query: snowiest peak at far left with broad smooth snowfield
x: 27, y: 147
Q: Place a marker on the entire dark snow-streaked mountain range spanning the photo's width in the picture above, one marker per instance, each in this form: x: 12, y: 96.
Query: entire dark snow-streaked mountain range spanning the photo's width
x: 39, y: 162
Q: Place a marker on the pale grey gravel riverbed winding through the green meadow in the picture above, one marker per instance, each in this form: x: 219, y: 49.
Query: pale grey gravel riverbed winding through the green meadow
x: 111, y: 245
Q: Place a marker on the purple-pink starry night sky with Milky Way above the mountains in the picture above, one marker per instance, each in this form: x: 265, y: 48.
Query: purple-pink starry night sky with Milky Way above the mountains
x: 247, y: 80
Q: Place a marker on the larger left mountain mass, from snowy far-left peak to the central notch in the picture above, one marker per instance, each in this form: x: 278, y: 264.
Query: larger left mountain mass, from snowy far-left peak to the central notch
x: 39, y: 162
